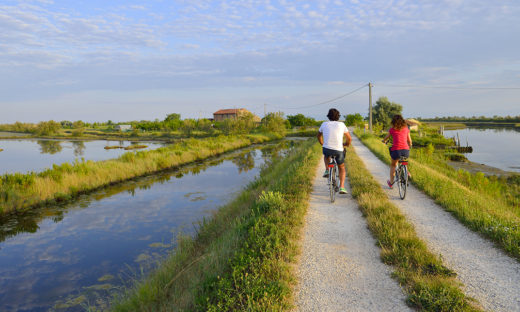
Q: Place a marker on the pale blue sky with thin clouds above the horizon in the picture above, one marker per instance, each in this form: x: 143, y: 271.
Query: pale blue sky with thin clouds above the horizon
x: 128, y: 60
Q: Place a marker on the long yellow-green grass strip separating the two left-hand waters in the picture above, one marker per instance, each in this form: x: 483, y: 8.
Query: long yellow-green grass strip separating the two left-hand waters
x: 66, y: 181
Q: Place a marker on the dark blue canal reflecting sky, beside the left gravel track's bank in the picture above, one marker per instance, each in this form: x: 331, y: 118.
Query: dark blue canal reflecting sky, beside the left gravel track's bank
x: 79, y: 253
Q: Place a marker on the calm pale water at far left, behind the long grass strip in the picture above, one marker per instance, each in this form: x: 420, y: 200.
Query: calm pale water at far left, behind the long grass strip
x: 35, y: 155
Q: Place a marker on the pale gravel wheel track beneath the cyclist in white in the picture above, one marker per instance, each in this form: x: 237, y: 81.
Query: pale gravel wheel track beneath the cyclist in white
x: 340, y: 268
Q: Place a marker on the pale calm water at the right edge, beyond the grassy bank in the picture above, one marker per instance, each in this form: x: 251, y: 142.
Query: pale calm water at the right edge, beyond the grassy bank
x: 498, y: 148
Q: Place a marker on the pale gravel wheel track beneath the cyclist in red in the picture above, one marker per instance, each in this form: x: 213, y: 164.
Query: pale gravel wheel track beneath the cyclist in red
x: 489, y: 275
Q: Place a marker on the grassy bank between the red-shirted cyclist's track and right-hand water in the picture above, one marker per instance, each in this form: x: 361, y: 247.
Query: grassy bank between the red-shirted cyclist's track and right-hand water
x: 489, y: 206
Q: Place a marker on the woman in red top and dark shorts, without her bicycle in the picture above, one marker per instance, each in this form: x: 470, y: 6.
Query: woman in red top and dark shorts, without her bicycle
x: 401, y: 144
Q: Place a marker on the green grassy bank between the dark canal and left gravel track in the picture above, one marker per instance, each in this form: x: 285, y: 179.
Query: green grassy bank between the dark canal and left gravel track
x: 242, y: 258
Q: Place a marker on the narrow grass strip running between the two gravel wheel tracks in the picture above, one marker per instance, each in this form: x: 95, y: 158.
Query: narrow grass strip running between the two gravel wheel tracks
x: 429, y: 284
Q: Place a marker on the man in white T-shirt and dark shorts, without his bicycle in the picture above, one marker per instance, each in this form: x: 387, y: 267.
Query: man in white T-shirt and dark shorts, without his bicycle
x: 330, y: 136
